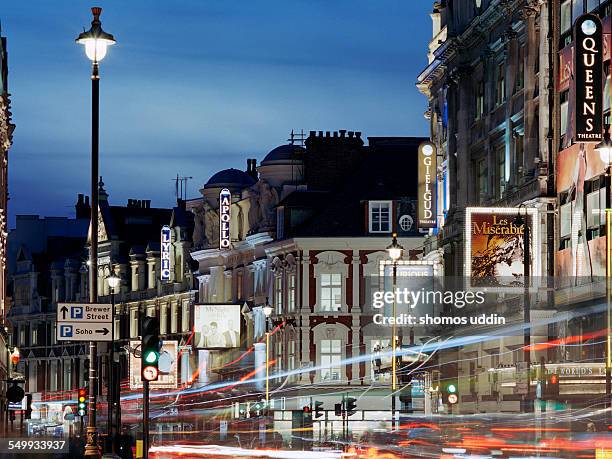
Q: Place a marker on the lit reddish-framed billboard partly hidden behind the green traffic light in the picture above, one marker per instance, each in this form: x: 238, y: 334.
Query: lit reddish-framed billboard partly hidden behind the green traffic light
x: 168, y: 366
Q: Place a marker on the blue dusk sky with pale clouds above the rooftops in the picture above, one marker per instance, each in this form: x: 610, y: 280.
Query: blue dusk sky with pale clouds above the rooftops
x: 195, y: 86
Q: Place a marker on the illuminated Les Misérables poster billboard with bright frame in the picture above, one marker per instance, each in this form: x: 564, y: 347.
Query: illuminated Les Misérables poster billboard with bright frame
x: 494, y: 246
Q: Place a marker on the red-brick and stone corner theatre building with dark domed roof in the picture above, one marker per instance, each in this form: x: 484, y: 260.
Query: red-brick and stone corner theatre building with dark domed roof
x: 309, y: 228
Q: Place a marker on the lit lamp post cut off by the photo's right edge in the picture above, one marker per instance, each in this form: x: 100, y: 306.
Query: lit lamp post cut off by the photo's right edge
x: 604, y: 148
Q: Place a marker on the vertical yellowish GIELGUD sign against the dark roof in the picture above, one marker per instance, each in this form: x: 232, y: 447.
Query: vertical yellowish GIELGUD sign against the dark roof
x: 427, y: 185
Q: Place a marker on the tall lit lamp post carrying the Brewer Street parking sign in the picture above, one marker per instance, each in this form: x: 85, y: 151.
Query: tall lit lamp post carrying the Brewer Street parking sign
x: 96, y: 42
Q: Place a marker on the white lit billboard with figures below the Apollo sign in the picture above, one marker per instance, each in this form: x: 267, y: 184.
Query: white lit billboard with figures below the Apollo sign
x: 217, y: 326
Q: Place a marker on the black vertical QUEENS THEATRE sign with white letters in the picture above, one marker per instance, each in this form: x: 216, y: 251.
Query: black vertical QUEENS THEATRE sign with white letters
x: 588, y: 68
